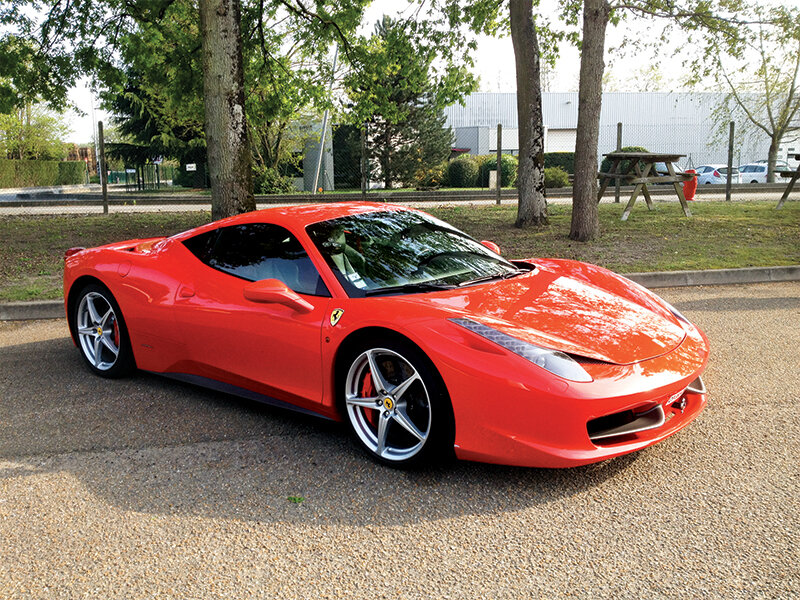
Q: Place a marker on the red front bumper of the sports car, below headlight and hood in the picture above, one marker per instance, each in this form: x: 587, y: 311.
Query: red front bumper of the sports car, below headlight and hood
x: 509, y: 412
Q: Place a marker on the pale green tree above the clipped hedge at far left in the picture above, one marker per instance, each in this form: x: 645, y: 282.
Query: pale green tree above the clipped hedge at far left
x: 31, y: 131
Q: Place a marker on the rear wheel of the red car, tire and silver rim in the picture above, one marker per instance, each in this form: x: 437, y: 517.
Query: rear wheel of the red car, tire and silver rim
x: 99, y: 328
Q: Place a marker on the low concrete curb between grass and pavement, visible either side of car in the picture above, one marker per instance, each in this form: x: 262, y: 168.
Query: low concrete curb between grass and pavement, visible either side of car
x: 54, y: 309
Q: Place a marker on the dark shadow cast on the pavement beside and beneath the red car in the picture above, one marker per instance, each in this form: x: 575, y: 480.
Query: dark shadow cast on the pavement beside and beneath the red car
x: 153, y: 445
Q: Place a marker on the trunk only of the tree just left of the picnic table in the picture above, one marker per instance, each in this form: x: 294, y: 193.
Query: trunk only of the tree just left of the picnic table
x: 585, y: 221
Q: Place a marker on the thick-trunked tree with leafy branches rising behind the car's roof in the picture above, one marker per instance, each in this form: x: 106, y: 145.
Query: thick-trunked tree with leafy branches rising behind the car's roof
x: 95, y: 38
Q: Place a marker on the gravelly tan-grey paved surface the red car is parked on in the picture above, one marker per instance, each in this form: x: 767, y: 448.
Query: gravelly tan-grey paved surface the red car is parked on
x: 149, y: 488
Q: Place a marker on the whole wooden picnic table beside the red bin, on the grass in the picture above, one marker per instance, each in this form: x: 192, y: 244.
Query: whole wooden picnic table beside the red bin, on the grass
x: 641, y: 172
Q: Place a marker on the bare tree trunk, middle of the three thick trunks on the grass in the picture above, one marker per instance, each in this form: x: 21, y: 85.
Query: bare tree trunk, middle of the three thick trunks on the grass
x: 532, y: 206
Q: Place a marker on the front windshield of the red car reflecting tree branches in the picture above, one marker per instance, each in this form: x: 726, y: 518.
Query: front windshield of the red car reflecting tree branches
x: 403, y: 252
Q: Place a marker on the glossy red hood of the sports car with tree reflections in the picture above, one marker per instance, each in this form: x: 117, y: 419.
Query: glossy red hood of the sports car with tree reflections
x: 562, y: 313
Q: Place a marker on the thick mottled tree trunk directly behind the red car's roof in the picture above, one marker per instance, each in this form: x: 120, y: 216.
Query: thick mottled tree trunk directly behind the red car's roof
x: 229, y: 161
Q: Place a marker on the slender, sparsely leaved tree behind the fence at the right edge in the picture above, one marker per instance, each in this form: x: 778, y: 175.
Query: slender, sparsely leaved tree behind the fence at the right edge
x: 762, y: 81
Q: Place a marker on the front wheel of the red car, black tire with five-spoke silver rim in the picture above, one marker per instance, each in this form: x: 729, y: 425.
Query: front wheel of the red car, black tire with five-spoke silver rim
x: 416, y: 400
